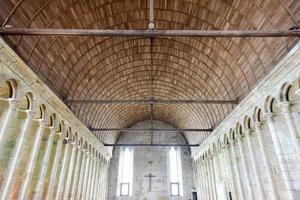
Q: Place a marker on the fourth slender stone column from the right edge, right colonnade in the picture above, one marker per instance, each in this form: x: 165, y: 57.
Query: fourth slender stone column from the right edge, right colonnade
x: 254, y: 164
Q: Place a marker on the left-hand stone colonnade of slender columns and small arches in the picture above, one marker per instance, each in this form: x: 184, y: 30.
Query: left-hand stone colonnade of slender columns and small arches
x: 42, y: 154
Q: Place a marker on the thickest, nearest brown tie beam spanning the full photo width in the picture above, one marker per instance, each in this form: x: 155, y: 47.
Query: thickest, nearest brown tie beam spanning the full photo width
x: 148, y: 33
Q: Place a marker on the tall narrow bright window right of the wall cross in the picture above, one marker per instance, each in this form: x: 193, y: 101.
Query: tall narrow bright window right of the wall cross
x: 175, y: 172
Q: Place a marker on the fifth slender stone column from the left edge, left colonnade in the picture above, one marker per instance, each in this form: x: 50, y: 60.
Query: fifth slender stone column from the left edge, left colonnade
x: 54, y: 168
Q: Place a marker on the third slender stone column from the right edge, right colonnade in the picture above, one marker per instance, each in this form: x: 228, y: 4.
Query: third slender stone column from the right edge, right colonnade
x: 266, y: 161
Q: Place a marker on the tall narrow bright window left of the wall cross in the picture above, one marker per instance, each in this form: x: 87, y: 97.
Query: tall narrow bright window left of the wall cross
x: 125, y: 172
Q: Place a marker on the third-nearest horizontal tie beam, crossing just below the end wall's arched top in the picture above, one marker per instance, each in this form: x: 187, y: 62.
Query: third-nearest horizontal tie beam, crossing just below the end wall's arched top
x: 150, y: 130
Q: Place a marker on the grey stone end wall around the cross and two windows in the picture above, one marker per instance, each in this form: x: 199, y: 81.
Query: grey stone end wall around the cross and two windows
x: 153, y: 160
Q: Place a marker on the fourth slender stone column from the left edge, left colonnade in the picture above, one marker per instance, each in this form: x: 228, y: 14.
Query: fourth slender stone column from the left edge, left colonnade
x: 44, y: 165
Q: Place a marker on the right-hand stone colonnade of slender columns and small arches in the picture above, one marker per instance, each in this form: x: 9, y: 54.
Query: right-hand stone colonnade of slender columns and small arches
x: 257, y: 158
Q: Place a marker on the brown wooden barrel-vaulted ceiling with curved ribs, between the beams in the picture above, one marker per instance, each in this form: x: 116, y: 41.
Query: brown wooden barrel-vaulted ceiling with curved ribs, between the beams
x: 119, y: 68
